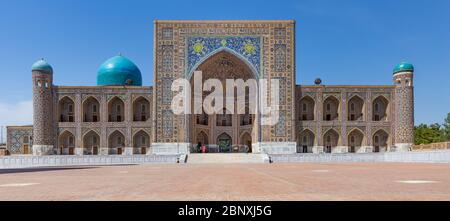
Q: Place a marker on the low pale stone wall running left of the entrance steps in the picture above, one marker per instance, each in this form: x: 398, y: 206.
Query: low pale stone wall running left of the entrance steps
x: 49, y: 161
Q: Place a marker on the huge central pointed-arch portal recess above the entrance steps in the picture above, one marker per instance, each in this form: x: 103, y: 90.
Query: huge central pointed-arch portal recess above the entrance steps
x: 225, y: 129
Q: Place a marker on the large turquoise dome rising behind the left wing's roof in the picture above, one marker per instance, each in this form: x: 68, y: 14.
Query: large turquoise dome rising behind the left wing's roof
x: 117, y: 71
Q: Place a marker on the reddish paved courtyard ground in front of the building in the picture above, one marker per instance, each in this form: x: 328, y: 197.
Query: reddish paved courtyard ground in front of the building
x: 301, y: 181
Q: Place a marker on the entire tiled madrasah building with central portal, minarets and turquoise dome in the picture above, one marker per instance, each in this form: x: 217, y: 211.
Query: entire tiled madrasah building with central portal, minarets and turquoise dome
x: 120, y: 116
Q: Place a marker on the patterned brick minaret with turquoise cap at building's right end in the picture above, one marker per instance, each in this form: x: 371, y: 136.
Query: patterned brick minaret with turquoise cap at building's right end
x: 404, y: 106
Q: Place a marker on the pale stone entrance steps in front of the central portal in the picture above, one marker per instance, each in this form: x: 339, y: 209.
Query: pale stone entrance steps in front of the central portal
x: 224, y: 158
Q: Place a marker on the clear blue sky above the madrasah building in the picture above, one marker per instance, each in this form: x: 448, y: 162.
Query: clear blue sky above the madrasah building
x: 343, y: 42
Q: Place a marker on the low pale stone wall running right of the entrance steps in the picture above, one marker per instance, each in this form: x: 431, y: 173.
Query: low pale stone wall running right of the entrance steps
x: 410, y: 157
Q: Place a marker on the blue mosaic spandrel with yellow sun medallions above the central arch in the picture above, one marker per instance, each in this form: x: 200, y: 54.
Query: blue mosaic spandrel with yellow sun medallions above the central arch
x: 246, y: 47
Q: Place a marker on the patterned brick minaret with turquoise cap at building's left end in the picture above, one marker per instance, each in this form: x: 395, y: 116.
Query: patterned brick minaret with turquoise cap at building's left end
x: 42, y: 75
